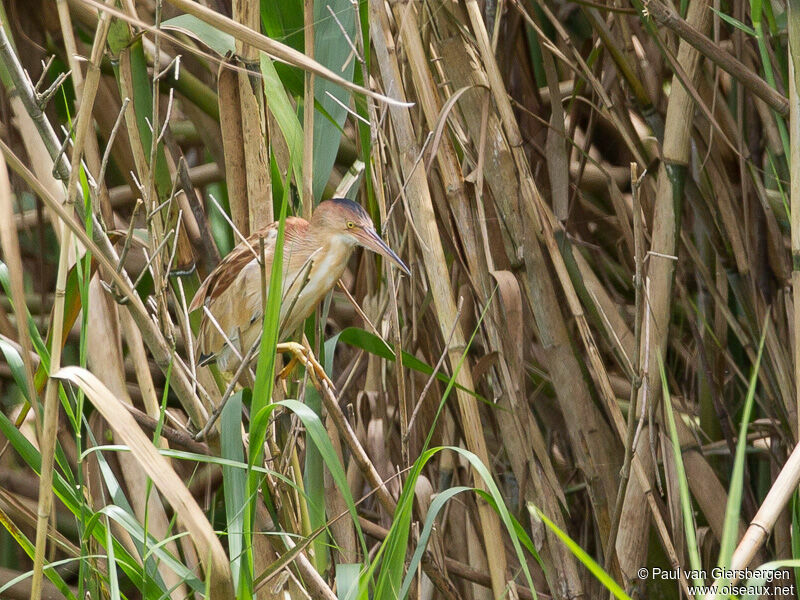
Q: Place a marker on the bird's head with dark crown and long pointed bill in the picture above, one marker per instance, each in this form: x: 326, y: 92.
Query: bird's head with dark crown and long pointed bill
x: 351, y: 223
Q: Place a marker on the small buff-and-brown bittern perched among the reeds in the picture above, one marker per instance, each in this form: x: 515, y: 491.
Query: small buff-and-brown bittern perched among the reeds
x: 315, y: 255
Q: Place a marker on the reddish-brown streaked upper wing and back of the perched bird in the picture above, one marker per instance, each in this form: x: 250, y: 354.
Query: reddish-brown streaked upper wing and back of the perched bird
x: 237, y: 259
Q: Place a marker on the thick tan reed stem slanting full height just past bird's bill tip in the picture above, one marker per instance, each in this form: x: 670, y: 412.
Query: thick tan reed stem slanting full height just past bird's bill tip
x: 421, y: 207
